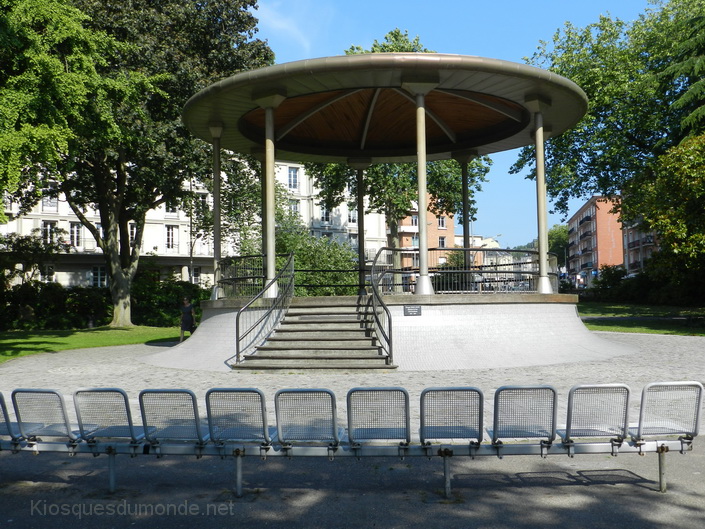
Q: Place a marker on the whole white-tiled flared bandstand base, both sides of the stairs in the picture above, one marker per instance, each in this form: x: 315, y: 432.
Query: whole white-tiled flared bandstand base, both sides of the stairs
x: 445, y: 332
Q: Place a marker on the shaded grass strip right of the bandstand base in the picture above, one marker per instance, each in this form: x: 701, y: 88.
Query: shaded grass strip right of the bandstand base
x: 649, y: 319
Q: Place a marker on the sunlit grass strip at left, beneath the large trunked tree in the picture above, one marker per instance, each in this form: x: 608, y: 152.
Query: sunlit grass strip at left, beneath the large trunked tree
x: 14, y: 344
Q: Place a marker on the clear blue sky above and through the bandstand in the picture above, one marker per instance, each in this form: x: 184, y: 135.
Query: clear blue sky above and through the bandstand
x: 503, y: 29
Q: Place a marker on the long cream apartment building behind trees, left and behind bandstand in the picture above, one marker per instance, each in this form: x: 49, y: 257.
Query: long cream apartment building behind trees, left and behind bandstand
x: 169, y: 240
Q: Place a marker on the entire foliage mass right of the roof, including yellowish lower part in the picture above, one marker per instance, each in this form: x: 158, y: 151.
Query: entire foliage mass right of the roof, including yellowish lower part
x: 642, y: 134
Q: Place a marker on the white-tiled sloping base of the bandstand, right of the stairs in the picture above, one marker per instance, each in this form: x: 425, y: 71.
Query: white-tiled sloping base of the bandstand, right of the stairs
x: 496, y: 335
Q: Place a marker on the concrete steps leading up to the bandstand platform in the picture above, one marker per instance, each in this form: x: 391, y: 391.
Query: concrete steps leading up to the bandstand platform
x: 321, y: 333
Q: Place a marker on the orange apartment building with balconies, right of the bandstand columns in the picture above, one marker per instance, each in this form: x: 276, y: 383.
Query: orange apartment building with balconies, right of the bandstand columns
x: 594, y: 239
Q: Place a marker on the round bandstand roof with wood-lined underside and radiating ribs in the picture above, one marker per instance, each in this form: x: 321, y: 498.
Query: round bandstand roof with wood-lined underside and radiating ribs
x: 363, y: 107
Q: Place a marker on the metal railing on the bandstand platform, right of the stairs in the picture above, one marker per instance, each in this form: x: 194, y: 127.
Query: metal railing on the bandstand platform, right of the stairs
x: 462, y: 270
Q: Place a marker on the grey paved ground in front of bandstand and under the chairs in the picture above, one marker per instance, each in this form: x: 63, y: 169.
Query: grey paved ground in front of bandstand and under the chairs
x: 516, y: 492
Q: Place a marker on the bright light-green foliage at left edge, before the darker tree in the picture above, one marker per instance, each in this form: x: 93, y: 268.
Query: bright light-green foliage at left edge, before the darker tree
x: 50, y: 88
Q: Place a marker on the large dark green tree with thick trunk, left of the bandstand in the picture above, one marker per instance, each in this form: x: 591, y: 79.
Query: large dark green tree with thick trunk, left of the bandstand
x: 127, y: 151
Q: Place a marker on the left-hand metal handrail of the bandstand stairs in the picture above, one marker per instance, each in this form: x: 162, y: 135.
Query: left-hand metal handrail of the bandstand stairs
x: 258, y: 318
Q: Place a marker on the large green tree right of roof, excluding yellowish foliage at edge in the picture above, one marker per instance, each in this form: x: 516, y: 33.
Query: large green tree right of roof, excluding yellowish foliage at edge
x: 631, y: 119
